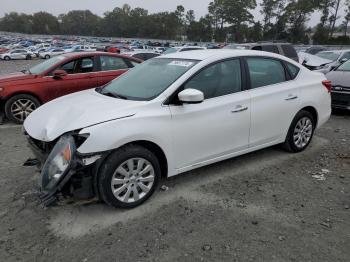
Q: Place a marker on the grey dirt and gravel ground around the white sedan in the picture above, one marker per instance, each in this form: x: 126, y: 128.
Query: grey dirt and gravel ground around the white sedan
x: 265, y: 206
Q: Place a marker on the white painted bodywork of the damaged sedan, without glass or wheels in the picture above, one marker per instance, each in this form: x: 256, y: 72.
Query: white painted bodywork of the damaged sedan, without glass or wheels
x: 190, y: 135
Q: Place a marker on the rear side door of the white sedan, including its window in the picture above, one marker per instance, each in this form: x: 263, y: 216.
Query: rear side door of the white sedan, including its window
x: 274, y: 99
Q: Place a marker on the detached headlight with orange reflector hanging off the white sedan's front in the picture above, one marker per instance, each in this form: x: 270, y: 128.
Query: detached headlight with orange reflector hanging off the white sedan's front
x: 58, y: 162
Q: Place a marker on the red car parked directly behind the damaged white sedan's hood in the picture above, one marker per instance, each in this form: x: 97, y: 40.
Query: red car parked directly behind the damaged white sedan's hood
x: 21, y: 93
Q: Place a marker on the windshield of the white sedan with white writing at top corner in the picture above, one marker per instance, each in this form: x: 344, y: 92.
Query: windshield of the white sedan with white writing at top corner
x: 149, y: 79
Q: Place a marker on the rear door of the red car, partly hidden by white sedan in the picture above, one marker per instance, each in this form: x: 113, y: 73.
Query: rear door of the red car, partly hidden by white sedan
x: 111, y: 67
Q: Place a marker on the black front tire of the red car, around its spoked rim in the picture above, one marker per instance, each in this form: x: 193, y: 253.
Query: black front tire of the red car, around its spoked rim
x: 10, y: 104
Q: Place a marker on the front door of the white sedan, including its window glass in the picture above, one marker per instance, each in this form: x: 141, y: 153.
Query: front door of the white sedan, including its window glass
x: 217, y: 127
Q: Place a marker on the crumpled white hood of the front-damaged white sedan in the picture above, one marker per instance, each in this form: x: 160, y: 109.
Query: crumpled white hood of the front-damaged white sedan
x: 76, y: 111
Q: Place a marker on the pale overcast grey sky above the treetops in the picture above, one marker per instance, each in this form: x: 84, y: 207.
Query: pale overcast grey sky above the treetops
x: 98, y: 7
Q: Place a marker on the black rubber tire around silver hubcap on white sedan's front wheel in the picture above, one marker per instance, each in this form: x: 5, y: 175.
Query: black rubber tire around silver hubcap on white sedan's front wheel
x: 116, y: 159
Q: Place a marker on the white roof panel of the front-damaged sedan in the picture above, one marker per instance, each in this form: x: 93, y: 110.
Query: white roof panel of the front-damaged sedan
x: 202, y: 55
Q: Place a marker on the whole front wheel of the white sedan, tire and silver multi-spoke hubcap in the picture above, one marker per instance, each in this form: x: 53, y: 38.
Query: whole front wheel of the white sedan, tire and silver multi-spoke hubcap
x: 128, y: 177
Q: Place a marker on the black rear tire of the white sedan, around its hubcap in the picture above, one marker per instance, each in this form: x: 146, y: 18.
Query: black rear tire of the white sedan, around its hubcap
x: 290, y: 145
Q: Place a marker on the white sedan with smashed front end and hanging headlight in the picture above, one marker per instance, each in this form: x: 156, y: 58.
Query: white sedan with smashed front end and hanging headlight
x: 172, y: 114
